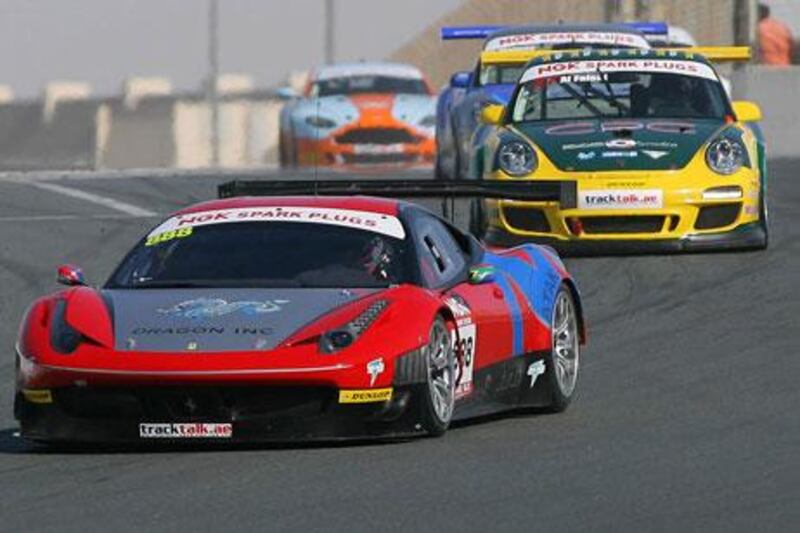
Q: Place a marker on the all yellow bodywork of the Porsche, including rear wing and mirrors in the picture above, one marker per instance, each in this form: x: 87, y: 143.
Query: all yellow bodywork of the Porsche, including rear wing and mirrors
x: 683, y: 193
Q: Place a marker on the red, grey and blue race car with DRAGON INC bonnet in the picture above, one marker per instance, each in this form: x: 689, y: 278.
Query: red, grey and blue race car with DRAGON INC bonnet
x: 299, y: 318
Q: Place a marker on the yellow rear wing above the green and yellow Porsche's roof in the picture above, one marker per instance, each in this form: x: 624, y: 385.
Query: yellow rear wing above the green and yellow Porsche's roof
x: 716, y: 54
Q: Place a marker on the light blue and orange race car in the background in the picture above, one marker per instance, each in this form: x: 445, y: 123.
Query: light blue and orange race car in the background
x: 360, y: 113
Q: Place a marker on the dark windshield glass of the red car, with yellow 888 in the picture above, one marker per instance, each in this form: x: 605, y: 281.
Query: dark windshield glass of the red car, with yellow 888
x: 265, y: 254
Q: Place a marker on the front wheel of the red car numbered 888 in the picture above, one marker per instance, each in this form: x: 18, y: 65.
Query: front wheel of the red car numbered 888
x: 437, y: 406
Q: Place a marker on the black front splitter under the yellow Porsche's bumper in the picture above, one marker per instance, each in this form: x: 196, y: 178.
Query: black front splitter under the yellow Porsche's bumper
x: 746, y: 237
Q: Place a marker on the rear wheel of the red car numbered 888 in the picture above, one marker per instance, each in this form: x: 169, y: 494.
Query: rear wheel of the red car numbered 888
x: 561, y: 365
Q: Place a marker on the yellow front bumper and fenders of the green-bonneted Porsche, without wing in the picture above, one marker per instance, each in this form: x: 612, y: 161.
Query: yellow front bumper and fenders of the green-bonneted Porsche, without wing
x: 683, y: 193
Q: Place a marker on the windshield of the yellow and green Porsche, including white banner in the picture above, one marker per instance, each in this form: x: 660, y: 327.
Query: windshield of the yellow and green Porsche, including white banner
x: 583, y: 90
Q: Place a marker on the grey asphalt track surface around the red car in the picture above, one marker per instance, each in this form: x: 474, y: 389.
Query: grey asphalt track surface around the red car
x: 687, y: 415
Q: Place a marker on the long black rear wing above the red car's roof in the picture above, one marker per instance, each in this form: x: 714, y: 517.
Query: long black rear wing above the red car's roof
x: 563, y: 191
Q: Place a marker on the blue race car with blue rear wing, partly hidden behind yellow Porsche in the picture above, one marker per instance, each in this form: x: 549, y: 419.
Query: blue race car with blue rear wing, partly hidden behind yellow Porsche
x: 492, y: 82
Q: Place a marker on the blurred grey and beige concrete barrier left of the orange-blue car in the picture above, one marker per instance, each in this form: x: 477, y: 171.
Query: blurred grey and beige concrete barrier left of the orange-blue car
x: 153, y: 130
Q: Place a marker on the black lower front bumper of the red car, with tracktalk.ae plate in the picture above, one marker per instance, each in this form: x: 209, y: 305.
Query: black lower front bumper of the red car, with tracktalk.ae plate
x: 216, y: 415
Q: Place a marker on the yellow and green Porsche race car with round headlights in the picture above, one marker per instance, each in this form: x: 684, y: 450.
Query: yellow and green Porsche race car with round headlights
x: 662, y: 160
